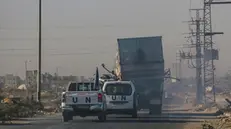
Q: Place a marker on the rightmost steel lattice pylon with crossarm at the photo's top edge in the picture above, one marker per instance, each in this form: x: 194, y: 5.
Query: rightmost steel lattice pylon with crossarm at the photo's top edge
x: 210, y: 54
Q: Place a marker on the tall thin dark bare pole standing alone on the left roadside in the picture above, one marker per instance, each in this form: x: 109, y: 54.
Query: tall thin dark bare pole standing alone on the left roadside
x: 40, y: 53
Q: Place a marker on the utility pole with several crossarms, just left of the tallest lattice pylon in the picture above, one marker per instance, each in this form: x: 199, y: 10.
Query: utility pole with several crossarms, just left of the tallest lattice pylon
x: 196, y: 44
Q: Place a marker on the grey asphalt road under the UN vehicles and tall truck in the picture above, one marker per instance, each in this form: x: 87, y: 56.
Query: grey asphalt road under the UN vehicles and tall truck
x: 167, y: 121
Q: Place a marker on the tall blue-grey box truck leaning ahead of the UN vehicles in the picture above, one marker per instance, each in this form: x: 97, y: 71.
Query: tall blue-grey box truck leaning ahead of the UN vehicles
x: 141, y: 61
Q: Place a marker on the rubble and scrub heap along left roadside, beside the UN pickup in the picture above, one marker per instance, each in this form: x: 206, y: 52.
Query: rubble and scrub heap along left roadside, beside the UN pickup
x: 14, y: 104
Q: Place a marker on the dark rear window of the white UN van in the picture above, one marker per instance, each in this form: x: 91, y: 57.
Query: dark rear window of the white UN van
x: 118, y: 89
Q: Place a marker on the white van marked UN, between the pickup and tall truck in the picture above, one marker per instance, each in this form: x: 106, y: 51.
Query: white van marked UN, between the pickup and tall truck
x: 121, y: 97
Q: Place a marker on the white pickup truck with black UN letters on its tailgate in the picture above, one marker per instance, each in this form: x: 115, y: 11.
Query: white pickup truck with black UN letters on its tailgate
x: 81, y: 99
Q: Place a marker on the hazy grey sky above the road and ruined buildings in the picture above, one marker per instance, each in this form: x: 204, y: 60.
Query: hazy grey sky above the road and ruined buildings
x: 78, y: 35
